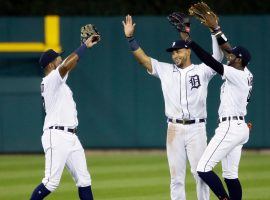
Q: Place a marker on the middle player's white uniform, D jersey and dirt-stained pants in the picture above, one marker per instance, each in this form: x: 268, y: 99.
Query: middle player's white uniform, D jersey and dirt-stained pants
x: 185, y: 92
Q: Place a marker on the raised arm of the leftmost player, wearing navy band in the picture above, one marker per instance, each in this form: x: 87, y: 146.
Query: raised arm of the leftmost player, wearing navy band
x: 70, y: 62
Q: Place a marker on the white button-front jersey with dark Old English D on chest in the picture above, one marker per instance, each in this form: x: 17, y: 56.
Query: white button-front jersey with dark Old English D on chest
x: 184, y: 90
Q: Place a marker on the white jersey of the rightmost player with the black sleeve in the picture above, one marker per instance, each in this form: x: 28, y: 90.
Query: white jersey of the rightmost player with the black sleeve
x: 235, y: 92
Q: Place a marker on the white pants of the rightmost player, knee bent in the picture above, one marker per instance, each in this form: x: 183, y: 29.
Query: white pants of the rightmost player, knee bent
x: 225, y: 146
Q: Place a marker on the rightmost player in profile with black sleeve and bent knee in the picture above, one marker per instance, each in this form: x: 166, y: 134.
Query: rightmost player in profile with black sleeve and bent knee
x: 232, y: 132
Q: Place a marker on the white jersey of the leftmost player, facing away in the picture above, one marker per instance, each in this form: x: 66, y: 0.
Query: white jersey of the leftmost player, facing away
x: 58, y: 102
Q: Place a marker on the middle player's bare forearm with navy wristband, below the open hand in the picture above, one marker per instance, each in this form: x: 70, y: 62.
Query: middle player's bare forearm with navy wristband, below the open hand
x: 139, y: 54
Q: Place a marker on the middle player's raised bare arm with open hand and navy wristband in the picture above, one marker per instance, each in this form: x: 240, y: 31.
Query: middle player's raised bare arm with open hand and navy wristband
x: 139, y: 54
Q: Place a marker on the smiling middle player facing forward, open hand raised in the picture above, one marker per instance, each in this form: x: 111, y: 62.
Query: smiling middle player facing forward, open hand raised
x: 184, y: 87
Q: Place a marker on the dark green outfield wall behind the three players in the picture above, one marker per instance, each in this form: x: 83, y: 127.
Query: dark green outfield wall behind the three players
x: 119, y: 104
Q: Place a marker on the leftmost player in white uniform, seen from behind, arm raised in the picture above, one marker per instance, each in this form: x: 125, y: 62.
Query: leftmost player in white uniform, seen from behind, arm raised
x: 59, y: 140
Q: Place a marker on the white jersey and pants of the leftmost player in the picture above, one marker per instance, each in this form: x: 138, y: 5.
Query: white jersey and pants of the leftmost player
x: 60, y: 143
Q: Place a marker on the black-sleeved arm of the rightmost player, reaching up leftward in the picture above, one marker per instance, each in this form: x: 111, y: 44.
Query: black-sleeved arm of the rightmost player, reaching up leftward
x: 206, y: 58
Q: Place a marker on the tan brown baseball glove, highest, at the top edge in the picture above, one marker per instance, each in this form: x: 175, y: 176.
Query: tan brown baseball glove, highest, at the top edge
x: 204, y: 14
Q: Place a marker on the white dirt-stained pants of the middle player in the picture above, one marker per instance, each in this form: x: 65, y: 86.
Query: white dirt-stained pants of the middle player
x: 185, y: 142
